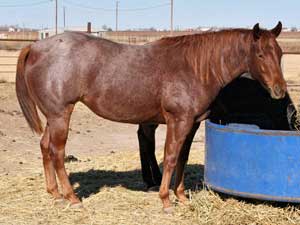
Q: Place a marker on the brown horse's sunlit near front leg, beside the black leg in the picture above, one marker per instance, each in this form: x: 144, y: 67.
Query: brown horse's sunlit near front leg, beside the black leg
x: 178, y: 128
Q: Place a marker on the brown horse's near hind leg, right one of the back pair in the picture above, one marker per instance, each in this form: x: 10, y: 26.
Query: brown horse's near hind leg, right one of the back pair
x: 58, y: 128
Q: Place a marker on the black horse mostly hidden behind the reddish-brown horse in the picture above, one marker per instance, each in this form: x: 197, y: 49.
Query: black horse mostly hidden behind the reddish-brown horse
x: 242, y: 101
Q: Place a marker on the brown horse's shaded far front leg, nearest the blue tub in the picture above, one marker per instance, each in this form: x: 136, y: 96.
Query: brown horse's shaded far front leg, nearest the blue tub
x: 182, y: 160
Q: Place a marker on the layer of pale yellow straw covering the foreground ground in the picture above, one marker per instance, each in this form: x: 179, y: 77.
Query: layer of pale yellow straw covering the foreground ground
x: 112, y: 193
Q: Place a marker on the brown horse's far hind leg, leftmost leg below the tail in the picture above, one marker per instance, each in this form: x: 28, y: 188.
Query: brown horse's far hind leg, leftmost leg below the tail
x: 51, y: 183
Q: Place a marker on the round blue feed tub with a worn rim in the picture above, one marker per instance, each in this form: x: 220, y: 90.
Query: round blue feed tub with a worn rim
x: 246, y: 161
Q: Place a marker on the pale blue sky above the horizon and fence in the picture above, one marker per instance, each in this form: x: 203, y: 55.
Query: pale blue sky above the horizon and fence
x: 187, y: 14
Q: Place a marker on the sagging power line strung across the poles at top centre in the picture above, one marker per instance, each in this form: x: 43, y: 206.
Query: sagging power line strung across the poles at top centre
x: 78, y: 5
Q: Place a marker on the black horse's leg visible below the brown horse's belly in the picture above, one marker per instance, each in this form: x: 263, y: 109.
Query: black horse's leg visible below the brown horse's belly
x: 150, y: 170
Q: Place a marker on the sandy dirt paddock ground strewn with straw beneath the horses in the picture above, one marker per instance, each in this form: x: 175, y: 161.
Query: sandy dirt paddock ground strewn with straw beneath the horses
x: 107, y: 178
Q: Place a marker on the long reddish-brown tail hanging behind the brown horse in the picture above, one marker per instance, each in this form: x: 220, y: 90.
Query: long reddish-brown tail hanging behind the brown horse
x: 26, y: 102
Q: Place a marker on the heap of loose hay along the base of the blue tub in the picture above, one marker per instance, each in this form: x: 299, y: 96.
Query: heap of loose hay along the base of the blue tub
x: 208, y: 207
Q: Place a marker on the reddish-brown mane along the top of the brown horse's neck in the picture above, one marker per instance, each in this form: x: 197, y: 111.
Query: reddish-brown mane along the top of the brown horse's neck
x: 201, y: 49
